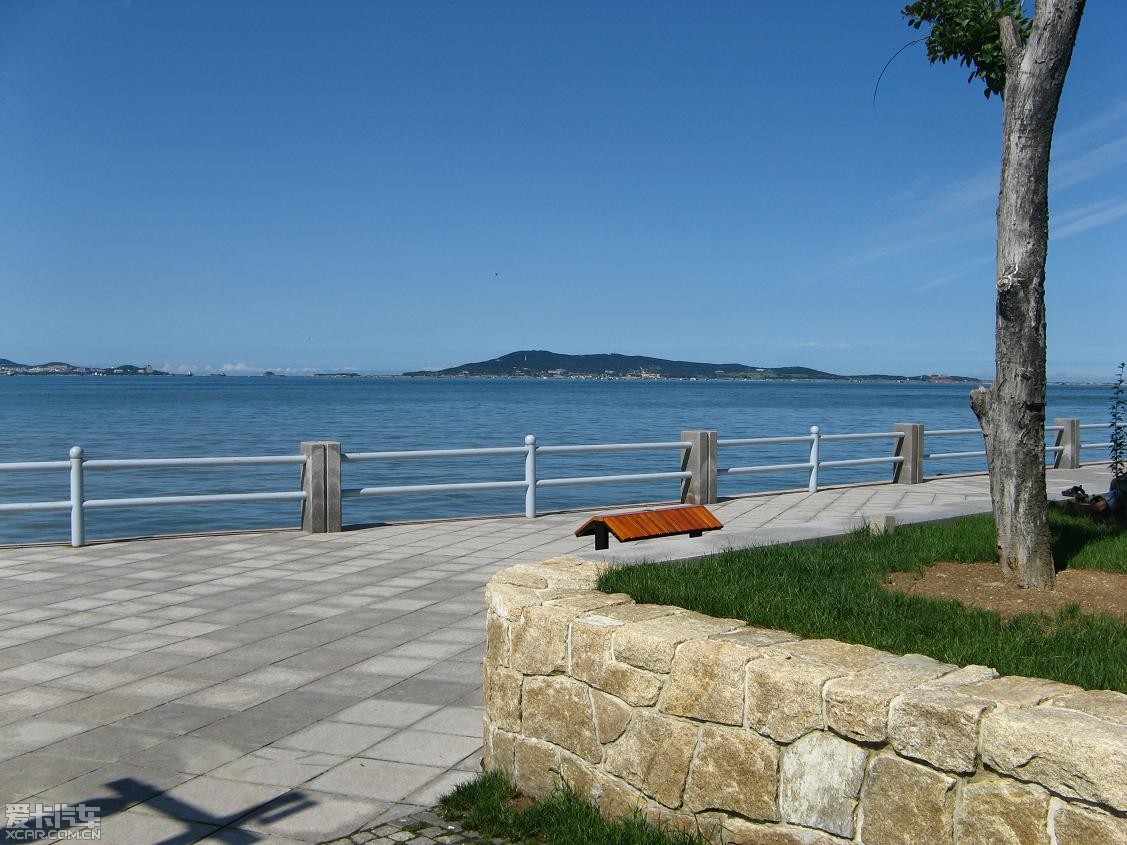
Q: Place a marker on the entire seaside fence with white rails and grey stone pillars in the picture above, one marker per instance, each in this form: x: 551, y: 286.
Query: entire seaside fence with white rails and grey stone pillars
x: 322, y: 467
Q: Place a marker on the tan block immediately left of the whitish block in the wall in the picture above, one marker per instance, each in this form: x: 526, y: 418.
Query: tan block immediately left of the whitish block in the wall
x: 734, y: 771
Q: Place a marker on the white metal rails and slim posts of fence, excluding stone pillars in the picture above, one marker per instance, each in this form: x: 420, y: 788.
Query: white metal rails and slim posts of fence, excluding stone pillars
x: 529, y: 483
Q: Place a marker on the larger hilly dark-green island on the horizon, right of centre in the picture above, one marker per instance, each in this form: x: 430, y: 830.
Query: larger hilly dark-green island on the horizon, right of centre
x: 542, y: 364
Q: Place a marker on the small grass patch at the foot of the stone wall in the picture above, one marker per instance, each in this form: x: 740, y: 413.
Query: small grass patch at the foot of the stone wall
x: 486, y: 805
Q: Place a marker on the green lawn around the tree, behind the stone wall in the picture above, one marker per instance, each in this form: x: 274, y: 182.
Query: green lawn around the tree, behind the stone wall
x: 833, y: 590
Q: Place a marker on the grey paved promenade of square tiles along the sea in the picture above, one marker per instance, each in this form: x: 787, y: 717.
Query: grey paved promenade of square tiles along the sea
x: 283, y: 689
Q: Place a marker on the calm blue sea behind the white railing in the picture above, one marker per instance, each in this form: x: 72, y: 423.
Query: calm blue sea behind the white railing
x: 42, y: 417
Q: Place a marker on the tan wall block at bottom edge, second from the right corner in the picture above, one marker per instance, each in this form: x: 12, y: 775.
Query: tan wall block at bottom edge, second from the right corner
x: 1001, y: 812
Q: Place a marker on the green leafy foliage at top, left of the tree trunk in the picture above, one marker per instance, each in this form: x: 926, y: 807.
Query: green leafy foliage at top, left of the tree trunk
x: 969, y: 31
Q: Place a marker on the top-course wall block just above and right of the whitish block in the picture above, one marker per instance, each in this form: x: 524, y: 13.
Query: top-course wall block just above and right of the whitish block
x: 857, y: 706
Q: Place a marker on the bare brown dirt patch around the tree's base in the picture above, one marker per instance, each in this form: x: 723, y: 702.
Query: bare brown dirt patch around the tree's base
x: 981, y: 585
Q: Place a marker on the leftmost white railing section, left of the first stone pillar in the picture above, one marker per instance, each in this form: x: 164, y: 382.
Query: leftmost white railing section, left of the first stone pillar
x: 78, y: 504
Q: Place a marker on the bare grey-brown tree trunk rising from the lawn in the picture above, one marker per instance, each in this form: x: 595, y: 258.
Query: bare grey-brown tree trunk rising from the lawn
x: 1013, y: 412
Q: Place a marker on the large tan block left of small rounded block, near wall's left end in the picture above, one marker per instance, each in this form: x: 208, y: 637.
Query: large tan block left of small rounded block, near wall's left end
x: 558, y: 710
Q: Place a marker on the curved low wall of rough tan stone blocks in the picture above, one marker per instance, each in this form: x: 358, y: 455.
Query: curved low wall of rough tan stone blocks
x: 753, y: 736
